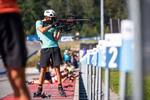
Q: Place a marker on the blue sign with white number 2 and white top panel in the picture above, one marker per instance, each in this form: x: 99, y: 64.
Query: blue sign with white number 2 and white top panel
x: 113, y: 45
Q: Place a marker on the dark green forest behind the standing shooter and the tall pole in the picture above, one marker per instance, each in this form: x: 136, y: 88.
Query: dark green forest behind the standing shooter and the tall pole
x: 33, y: 10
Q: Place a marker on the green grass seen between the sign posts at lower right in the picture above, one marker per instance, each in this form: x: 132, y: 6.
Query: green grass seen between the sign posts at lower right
x: 114, y: 83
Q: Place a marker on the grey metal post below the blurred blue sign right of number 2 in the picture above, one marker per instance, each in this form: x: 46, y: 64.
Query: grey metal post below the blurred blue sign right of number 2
x: 122, y: 85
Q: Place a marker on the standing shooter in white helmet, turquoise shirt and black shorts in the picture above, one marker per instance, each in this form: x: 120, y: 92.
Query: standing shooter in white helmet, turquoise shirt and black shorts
x: 49, y: 36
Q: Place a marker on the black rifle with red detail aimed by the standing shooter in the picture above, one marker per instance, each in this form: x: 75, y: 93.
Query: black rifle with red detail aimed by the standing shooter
x: 66, y: 24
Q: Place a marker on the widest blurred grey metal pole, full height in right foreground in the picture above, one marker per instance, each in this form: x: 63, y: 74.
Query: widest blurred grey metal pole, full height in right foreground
x: 135, y: 16
